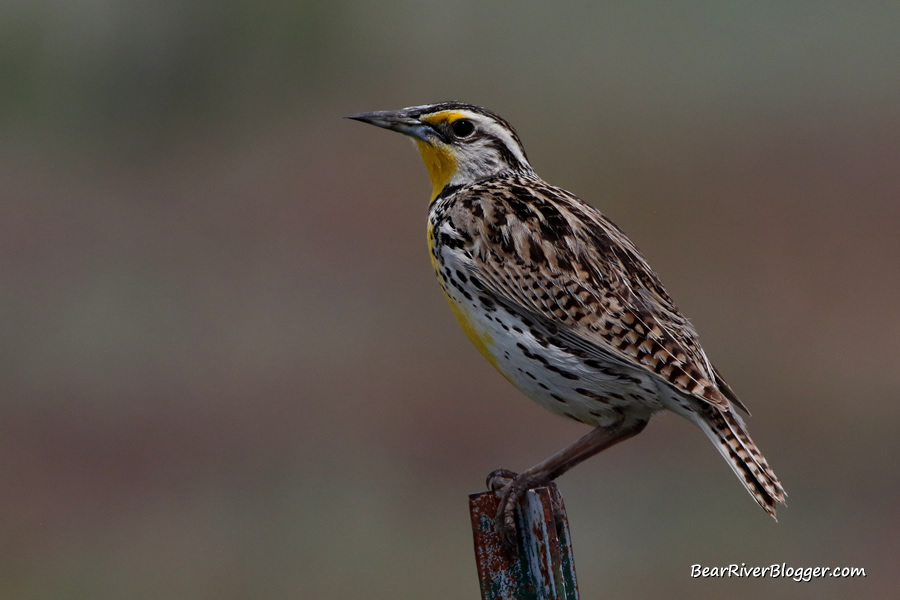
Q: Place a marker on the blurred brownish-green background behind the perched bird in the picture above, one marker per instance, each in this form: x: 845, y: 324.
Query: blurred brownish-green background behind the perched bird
x: 227, y: 370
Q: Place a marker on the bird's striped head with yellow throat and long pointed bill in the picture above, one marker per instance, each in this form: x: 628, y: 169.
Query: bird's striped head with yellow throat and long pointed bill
x: 460, y: 143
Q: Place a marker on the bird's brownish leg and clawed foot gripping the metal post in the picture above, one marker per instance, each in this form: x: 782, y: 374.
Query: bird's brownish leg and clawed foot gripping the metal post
x: 511, y: 485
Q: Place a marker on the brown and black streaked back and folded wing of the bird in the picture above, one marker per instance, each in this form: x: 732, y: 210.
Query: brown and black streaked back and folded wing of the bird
x: 545, y: 252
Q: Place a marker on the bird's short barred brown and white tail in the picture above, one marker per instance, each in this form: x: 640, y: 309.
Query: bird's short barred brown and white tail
x: 729, y: 434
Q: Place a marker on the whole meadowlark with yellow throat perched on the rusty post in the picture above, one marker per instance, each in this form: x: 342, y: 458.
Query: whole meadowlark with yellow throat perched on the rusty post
x: 561, y: 302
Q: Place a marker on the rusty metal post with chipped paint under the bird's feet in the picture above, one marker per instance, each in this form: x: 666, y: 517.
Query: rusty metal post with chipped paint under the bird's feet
x: 543, y: 567
